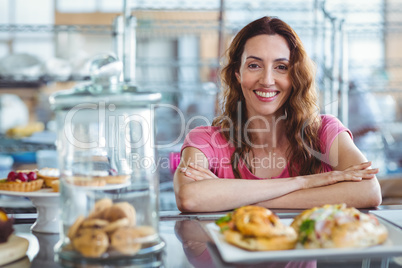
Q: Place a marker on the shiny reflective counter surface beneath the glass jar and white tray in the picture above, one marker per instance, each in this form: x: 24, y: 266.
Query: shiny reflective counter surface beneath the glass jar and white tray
x: 188, y: 244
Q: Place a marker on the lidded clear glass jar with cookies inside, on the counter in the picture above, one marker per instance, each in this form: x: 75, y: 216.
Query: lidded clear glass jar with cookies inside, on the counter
x: 109, y: 182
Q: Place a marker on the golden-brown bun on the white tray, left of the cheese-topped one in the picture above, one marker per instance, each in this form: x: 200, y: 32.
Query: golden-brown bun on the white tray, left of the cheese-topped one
x: 257, y: 229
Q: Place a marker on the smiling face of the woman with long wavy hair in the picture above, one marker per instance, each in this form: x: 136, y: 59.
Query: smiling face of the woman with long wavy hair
x: 264, y: 74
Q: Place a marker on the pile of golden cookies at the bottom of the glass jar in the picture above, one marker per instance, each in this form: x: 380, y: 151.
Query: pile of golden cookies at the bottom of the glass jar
x: 110, y: 227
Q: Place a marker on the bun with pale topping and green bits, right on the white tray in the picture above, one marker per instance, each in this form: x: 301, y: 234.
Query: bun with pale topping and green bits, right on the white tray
x: 338, y: 226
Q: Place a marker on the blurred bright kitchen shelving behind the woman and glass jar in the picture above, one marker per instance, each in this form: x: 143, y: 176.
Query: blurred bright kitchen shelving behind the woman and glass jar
x: 47, y: 45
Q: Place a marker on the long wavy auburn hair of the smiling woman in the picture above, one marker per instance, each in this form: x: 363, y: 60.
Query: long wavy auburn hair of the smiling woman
x: 302, y: 122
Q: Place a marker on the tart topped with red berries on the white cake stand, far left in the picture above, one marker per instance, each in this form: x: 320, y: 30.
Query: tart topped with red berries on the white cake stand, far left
x: 21, y: 181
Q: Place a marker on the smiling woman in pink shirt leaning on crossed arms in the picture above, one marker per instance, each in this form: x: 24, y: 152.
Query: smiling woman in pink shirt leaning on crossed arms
x: 270, y: 146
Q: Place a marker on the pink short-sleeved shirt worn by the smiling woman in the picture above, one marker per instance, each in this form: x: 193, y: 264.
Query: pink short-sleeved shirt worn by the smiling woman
x: 218, y: 150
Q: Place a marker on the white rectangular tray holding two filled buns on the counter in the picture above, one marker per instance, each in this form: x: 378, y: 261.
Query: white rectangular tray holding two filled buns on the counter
x: 230, y: 253
